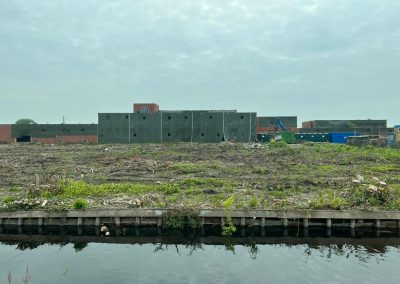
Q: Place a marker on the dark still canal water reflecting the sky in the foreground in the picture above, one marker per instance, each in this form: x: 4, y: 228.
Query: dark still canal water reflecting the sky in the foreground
x: 143, y: 256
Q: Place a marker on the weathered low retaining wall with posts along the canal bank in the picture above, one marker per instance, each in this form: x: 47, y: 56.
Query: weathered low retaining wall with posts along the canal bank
x: 155, y: 217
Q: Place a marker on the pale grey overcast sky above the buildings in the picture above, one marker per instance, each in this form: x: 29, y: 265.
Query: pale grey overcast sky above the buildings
x: 327, y: 59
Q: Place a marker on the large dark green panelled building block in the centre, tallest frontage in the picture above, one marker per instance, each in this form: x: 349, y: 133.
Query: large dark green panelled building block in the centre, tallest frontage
x: 176, y: 126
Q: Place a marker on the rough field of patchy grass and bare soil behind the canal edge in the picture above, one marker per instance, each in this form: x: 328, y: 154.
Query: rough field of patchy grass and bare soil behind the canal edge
x: 262, y: 176
